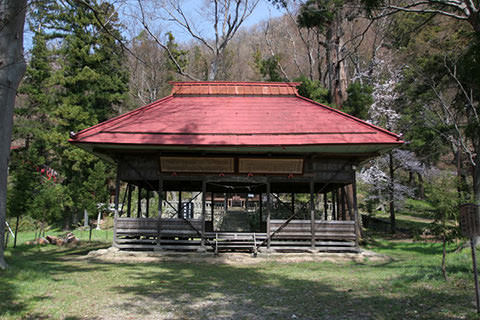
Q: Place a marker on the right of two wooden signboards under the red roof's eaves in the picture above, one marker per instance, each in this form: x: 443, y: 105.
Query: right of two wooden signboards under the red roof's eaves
x: 272, y: 166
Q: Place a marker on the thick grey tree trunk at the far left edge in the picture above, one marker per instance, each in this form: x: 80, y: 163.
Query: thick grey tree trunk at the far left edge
x: 12, y: 68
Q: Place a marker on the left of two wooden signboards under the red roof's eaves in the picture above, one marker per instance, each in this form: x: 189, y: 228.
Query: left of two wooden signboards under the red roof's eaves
x: 197, y: 165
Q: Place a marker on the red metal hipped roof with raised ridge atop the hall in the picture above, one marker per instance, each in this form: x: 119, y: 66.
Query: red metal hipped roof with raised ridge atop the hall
x: 235, y: 114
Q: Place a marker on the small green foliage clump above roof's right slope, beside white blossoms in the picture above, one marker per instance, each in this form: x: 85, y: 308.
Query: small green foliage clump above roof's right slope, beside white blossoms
x: 359, y: 100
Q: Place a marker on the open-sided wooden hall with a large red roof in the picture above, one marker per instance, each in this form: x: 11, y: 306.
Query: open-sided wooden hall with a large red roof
x: 236, y: 166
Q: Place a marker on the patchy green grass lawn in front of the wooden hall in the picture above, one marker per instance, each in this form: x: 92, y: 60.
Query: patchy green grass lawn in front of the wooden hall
x: 53, y: 283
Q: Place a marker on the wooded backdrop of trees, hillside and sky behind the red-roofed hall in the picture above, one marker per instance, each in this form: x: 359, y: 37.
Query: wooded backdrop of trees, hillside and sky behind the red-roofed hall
x: 410, y: 68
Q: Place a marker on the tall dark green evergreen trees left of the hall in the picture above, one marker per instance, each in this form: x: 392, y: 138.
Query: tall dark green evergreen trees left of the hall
x: 76, y: 78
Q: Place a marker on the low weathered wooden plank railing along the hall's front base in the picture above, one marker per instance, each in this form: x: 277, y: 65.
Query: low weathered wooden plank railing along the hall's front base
x: 186, y: 235
